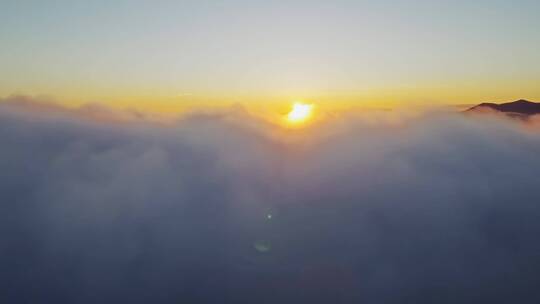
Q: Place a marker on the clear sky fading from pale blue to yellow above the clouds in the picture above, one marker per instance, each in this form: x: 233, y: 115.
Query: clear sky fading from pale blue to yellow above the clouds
x: 165, y: 55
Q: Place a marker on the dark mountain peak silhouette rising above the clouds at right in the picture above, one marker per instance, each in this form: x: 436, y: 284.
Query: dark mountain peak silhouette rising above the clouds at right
x: 519, y: 108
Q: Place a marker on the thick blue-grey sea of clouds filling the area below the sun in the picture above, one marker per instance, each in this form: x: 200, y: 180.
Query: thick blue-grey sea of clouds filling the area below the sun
x: 223, y: 207
